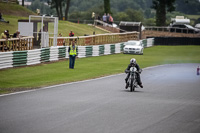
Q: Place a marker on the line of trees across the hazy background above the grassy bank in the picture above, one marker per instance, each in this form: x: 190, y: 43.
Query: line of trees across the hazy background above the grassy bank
x: 154, y: 12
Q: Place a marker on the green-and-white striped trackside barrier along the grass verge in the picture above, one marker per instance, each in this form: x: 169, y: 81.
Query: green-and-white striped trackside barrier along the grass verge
x: 32, y: 57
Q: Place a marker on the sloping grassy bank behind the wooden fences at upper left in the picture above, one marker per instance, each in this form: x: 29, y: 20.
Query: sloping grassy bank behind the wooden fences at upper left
x: 19, y: 12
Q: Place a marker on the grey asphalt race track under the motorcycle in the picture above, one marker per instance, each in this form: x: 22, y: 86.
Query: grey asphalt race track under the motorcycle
x: 168, y: 103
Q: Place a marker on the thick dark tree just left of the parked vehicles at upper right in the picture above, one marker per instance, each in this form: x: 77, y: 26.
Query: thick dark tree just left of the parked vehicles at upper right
x: 162, y: 7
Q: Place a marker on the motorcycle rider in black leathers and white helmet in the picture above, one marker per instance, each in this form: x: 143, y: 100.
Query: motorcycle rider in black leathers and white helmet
x: 133, y: 64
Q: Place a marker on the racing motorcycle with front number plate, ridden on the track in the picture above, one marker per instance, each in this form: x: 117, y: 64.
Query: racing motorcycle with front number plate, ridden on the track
x: 132, y: 81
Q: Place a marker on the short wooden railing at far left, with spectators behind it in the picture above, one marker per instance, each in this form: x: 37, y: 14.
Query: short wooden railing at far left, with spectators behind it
x: 16, y: 44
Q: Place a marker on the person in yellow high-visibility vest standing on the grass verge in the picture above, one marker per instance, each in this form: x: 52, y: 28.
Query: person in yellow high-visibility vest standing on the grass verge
x: 72, y: 55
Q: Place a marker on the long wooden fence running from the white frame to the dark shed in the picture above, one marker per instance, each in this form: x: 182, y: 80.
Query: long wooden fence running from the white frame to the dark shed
x: 96, y: 39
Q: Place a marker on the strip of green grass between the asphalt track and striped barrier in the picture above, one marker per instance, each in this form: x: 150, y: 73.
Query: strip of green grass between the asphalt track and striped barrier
x: 23, y: 78
